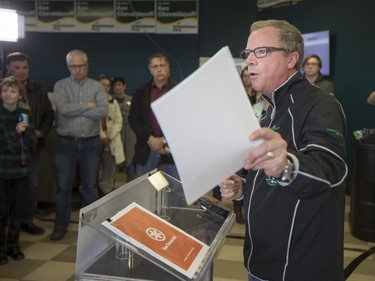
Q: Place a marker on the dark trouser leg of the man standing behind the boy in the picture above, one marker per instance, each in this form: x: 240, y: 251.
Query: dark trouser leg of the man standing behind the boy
x: 31, y: 190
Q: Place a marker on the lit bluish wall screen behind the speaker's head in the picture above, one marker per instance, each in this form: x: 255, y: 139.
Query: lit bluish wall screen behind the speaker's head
x: 318, y: 43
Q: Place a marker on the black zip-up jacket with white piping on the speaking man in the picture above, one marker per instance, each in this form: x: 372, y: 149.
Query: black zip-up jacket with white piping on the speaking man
x: 295, y: 231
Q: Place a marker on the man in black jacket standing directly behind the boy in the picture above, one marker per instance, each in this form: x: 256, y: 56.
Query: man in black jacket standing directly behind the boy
x: 37, y: 101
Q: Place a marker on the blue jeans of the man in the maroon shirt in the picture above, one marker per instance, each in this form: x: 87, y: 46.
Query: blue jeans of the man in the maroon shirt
x: 177, y: 198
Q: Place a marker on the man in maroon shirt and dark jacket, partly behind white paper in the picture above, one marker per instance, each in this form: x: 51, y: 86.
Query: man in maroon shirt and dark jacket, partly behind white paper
x: 151, y: 149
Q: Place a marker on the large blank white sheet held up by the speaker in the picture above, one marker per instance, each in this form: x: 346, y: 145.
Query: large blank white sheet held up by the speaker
x: 206, y: 120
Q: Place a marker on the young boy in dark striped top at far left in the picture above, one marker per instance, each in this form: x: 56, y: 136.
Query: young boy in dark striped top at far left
x: 16, y: 139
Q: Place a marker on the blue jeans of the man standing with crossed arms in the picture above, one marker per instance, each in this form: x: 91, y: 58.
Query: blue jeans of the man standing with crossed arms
x: 68, y: 154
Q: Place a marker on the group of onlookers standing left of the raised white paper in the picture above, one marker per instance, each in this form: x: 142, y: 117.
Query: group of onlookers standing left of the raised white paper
x: 98, y: 133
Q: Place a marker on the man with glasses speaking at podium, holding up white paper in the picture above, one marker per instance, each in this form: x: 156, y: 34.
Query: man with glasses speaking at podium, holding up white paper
x: 294, y: 196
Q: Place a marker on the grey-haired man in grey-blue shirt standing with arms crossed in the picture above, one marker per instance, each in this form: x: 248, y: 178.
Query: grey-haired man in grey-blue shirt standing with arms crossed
x: 80, y: 104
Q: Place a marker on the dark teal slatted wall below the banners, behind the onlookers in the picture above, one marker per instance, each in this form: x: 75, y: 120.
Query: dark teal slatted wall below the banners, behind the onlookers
x: 112, y: 54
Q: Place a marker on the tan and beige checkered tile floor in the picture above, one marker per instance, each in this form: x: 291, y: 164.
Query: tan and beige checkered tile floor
x: 55, y: 261
